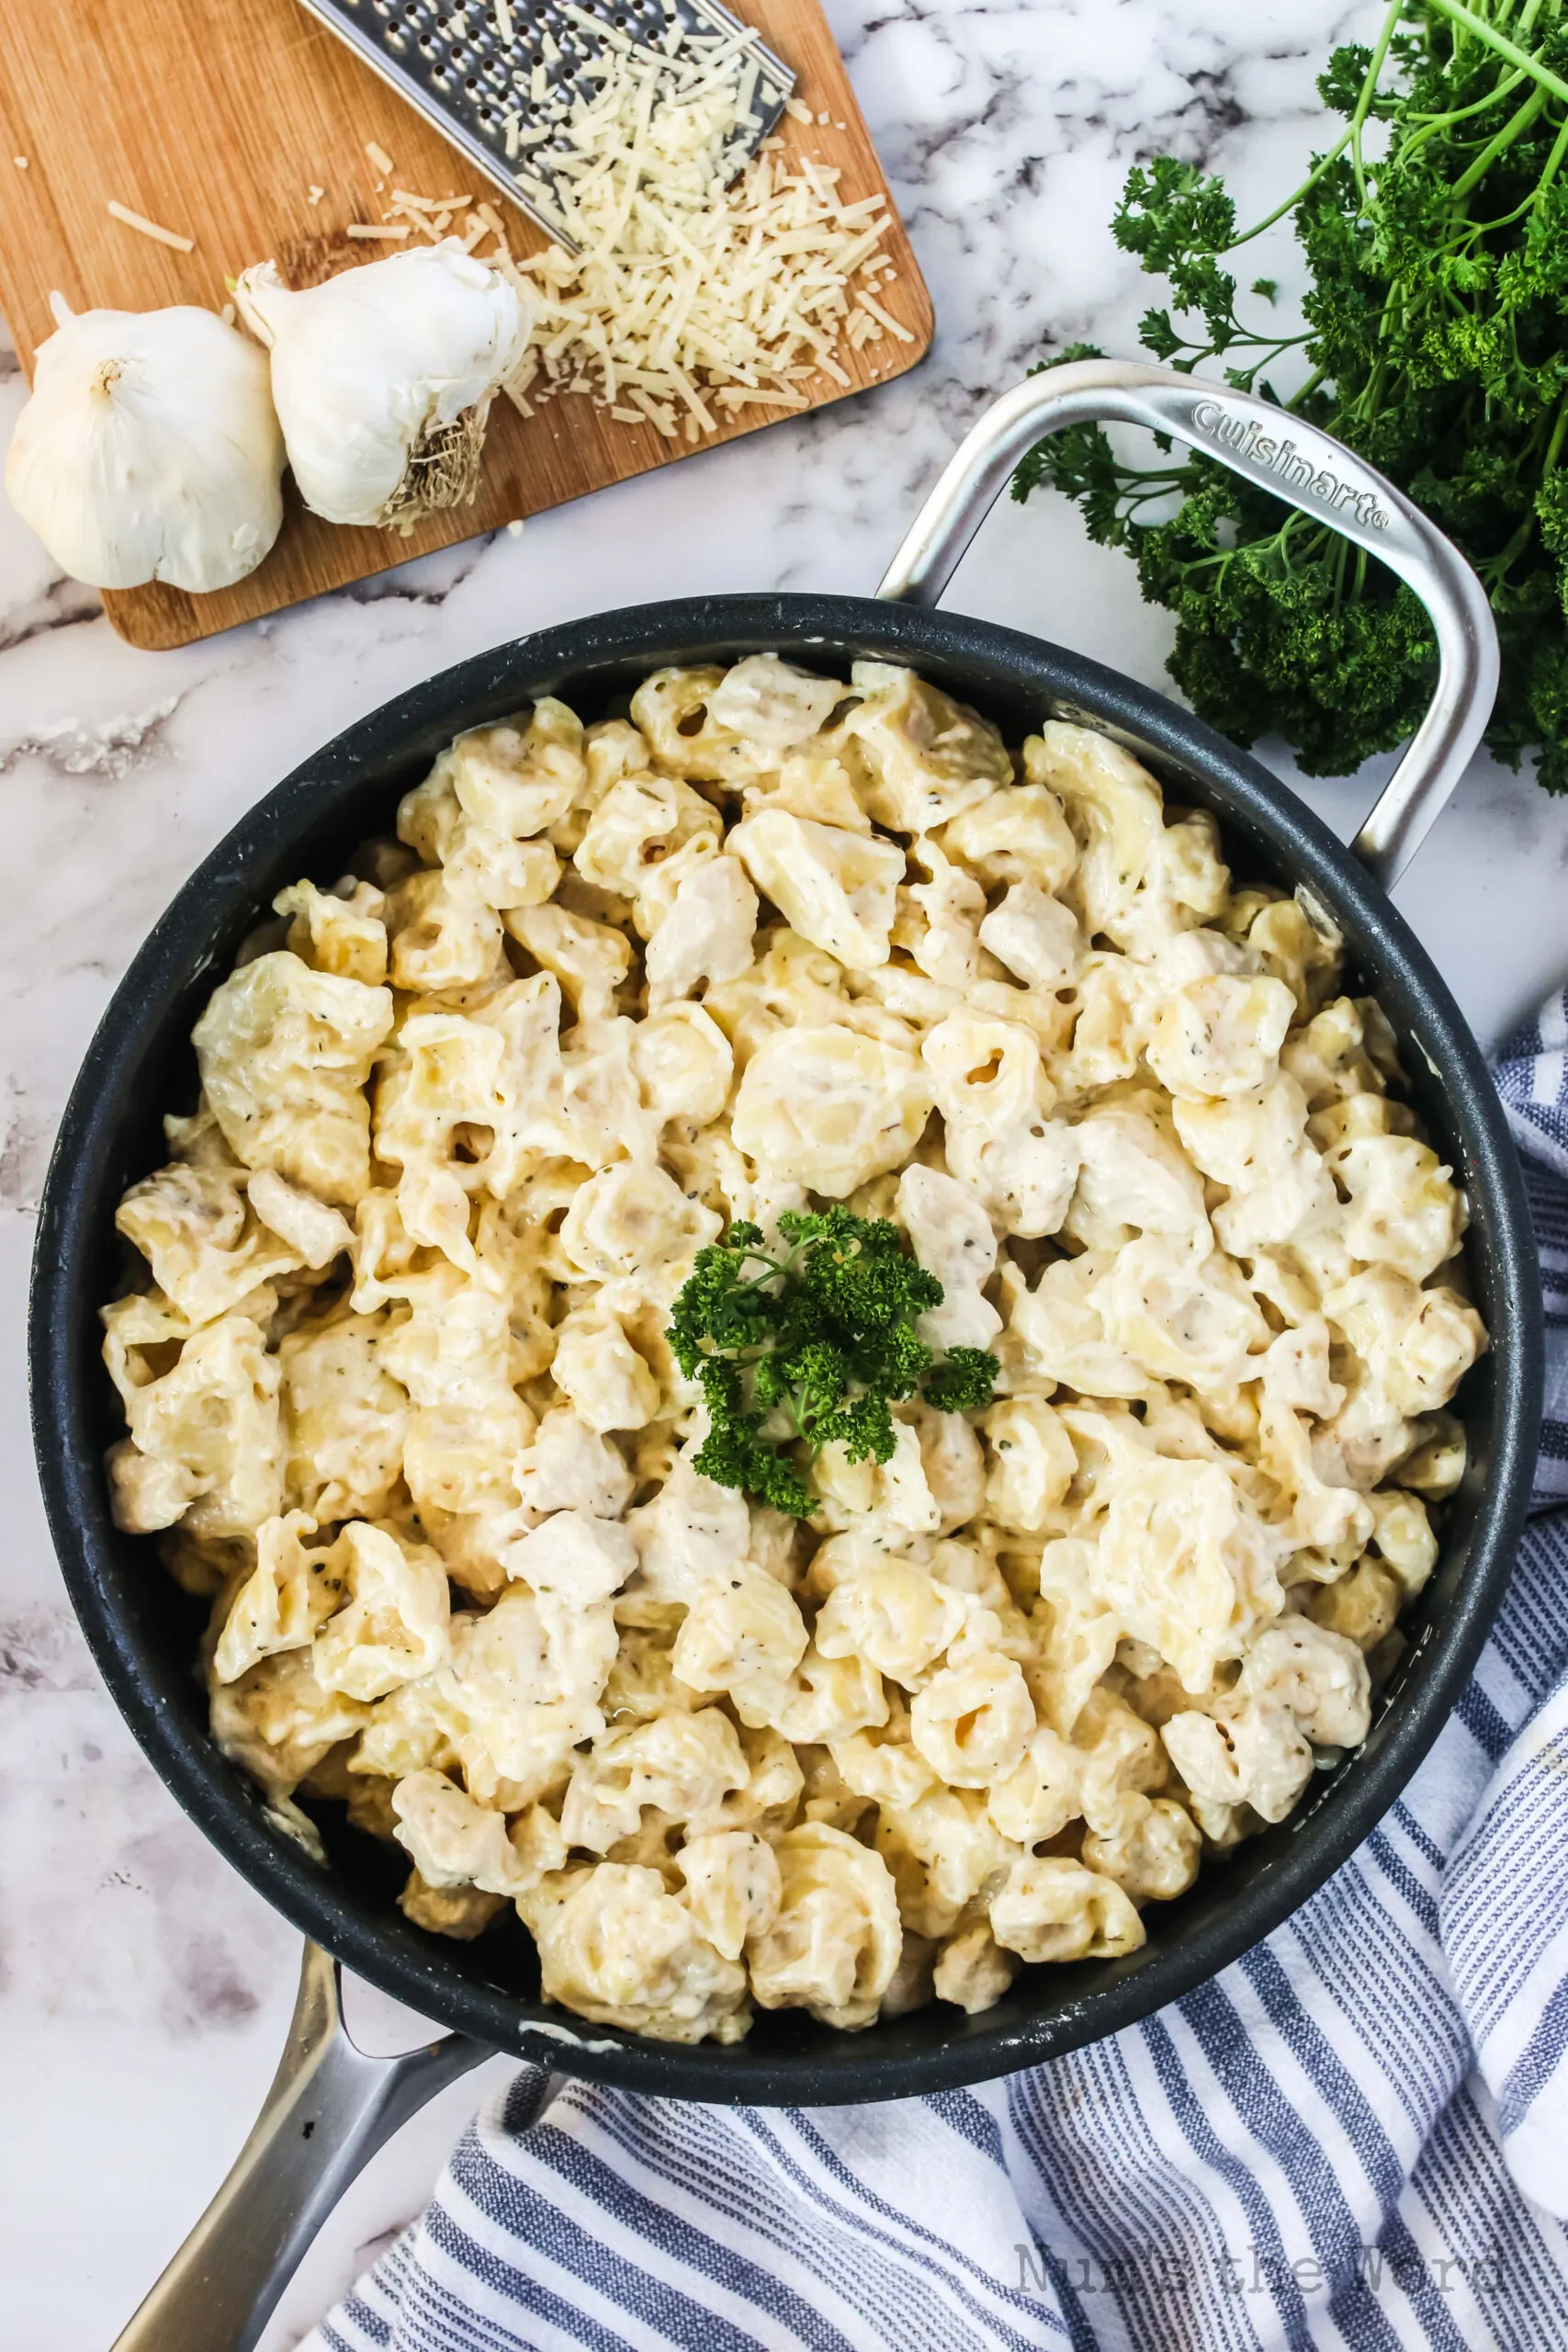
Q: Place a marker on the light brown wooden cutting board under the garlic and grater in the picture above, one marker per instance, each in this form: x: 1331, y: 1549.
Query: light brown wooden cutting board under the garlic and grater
x: 215, y: 119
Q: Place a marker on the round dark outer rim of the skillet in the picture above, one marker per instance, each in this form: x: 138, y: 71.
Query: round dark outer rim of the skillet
x: 1120, y: 1993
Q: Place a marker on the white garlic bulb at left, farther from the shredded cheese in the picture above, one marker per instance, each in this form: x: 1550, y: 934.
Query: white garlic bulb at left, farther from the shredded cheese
x: 149, y: 450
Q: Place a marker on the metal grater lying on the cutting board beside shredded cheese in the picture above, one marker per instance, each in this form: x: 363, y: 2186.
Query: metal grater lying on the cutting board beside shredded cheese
x: 471, y: 72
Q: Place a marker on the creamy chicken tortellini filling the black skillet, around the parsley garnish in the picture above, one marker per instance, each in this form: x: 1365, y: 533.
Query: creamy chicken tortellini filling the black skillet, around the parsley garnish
x: 401, y: 1401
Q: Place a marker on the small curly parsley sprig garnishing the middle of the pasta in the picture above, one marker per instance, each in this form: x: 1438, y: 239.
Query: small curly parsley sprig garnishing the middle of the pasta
x: 812, y: 1349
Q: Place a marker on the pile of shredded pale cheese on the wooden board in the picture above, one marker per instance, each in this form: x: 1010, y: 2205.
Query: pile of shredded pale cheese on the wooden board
x: 688, y: 300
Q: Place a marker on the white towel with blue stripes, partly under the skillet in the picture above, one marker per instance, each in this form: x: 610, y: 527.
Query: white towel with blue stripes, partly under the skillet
x: 1355, y: 2139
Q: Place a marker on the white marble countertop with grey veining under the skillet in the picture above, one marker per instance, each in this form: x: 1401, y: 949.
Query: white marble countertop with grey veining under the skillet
x: 142, y: 1984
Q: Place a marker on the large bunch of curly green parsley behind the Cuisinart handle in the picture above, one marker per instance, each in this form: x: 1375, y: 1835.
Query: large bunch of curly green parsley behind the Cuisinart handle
x: 1438, y: 347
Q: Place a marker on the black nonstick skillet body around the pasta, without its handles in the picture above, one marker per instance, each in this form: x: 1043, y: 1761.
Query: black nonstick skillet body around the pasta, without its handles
x: 145, y: 1631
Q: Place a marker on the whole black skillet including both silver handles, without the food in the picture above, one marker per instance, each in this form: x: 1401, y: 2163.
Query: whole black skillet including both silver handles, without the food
x: 330, y: 2106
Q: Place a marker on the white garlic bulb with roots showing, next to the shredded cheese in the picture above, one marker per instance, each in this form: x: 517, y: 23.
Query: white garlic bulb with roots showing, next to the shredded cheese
x: 384, y: 377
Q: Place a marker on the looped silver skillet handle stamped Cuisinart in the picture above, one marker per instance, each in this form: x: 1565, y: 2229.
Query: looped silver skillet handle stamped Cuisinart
x: 1294, y: 462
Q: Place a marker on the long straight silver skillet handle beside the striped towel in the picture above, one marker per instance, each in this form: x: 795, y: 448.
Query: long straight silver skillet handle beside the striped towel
x: 328, y: 2113
